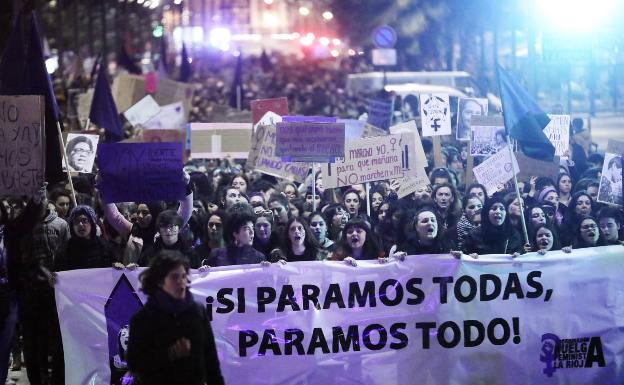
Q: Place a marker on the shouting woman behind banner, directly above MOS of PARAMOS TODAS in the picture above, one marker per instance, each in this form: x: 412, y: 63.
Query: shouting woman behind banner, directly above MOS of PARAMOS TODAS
x: 358, y: 242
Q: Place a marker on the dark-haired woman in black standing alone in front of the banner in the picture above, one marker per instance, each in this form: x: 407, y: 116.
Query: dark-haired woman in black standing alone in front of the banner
x: 171, y: 341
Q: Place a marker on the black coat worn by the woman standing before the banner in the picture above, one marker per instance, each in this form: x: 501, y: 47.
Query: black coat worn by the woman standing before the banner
x: 155, y: 328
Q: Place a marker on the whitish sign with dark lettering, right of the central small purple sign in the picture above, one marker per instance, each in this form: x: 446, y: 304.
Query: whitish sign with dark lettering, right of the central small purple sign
x: 372, y: 159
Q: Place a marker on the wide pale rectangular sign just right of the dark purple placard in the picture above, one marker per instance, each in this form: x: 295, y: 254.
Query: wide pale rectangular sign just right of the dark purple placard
x: 219, y: 140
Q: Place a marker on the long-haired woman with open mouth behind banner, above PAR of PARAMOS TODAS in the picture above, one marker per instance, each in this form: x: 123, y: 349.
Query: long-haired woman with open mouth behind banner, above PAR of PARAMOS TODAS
x: 299, y: 244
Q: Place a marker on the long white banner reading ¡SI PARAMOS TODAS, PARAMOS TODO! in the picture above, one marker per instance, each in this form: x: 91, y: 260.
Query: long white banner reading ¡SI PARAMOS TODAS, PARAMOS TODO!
x: 432, y: 319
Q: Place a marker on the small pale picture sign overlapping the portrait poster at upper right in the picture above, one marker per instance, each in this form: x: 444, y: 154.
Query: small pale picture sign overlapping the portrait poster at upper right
x: 488, y: 135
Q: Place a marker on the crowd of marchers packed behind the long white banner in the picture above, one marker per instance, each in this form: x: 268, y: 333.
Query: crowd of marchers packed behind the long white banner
x: 232, y: 215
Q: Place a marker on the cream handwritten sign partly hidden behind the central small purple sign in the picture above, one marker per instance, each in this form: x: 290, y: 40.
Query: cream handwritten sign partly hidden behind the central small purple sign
x: 262, y: 153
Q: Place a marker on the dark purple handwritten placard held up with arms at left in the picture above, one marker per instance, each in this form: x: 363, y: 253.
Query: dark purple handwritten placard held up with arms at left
x: 141, y: 172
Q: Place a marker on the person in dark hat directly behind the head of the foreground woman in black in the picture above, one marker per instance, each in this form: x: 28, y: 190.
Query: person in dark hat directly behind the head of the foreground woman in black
x: 168, y: 225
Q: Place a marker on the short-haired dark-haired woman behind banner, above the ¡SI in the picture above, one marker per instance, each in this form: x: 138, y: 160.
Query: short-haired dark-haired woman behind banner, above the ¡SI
x: 239, y: 235
